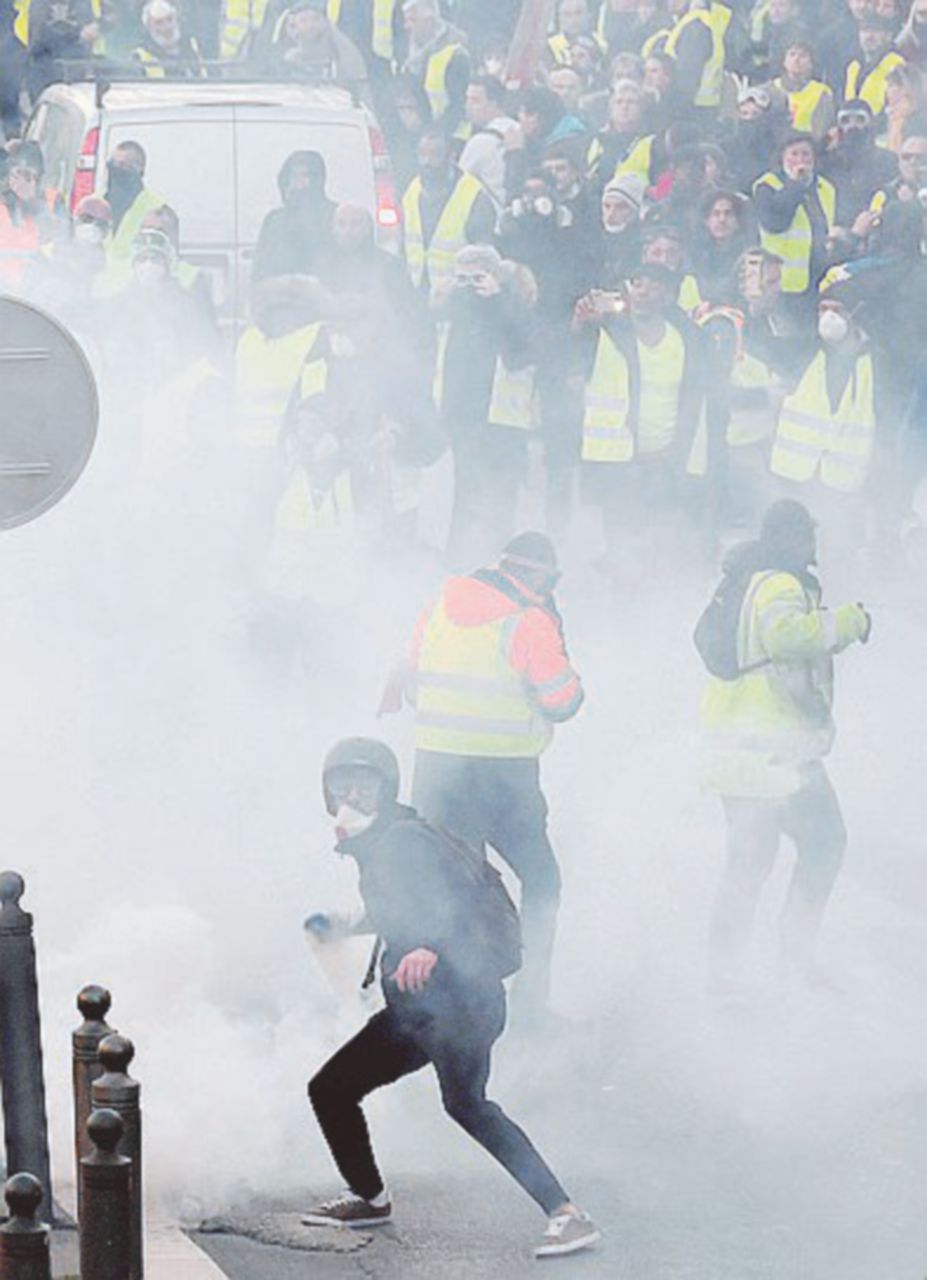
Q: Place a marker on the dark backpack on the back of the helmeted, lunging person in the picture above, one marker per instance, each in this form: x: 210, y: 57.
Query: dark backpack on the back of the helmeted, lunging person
x: 495, y: 929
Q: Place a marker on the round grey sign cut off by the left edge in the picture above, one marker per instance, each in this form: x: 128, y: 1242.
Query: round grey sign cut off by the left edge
x: 48, y: 413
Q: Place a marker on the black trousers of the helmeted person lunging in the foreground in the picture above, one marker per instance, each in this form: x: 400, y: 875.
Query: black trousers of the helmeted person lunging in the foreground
x: 392, y: 1046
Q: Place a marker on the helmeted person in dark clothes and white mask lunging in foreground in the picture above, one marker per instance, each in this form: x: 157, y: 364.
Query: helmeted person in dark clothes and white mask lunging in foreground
x: 444, y: 1005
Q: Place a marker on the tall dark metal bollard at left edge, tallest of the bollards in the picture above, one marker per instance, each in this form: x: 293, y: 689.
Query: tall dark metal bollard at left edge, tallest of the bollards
x: 22, y: 1081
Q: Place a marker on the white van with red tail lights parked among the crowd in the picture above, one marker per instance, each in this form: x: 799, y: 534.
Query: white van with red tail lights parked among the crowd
x: 214, y: 152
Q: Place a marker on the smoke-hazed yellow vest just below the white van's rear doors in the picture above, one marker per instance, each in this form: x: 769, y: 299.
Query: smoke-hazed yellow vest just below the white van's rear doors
x: 267, y: 374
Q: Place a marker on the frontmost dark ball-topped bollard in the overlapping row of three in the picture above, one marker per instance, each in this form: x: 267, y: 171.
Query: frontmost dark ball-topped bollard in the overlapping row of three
x: 107, y: 1199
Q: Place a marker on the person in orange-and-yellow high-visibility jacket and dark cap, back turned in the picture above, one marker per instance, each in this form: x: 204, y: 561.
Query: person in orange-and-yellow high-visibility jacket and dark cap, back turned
x: 492, y: 679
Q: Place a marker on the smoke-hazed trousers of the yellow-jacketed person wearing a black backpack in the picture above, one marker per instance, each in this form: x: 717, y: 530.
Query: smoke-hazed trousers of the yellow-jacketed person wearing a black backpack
x: 814, y: 822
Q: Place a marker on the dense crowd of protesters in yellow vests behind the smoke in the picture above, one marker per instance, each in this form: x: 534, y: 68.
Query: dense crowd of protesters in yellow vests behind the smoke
x: 681, y: 258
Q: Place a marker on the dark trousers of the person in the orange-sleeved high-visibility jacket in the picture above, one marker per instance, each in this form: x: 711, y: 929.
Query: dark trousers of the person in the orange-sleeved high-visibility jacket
x: 500, y: 803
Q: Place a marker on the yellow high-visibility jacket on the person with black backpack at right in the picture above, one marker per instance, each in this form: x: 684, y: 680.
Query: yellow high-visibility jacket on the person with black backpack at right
x: 764, y: 729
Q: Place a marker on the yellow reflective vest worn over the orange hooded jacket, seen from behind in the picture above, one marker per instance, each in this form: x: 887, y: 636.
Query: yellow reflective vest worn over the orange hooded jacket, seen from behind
x: 469, y: 701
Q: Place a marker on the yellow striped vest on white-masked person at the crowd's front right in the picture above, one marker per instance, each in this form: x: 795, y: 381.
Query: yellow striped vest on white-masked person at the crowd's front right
x: 815, y: 441
